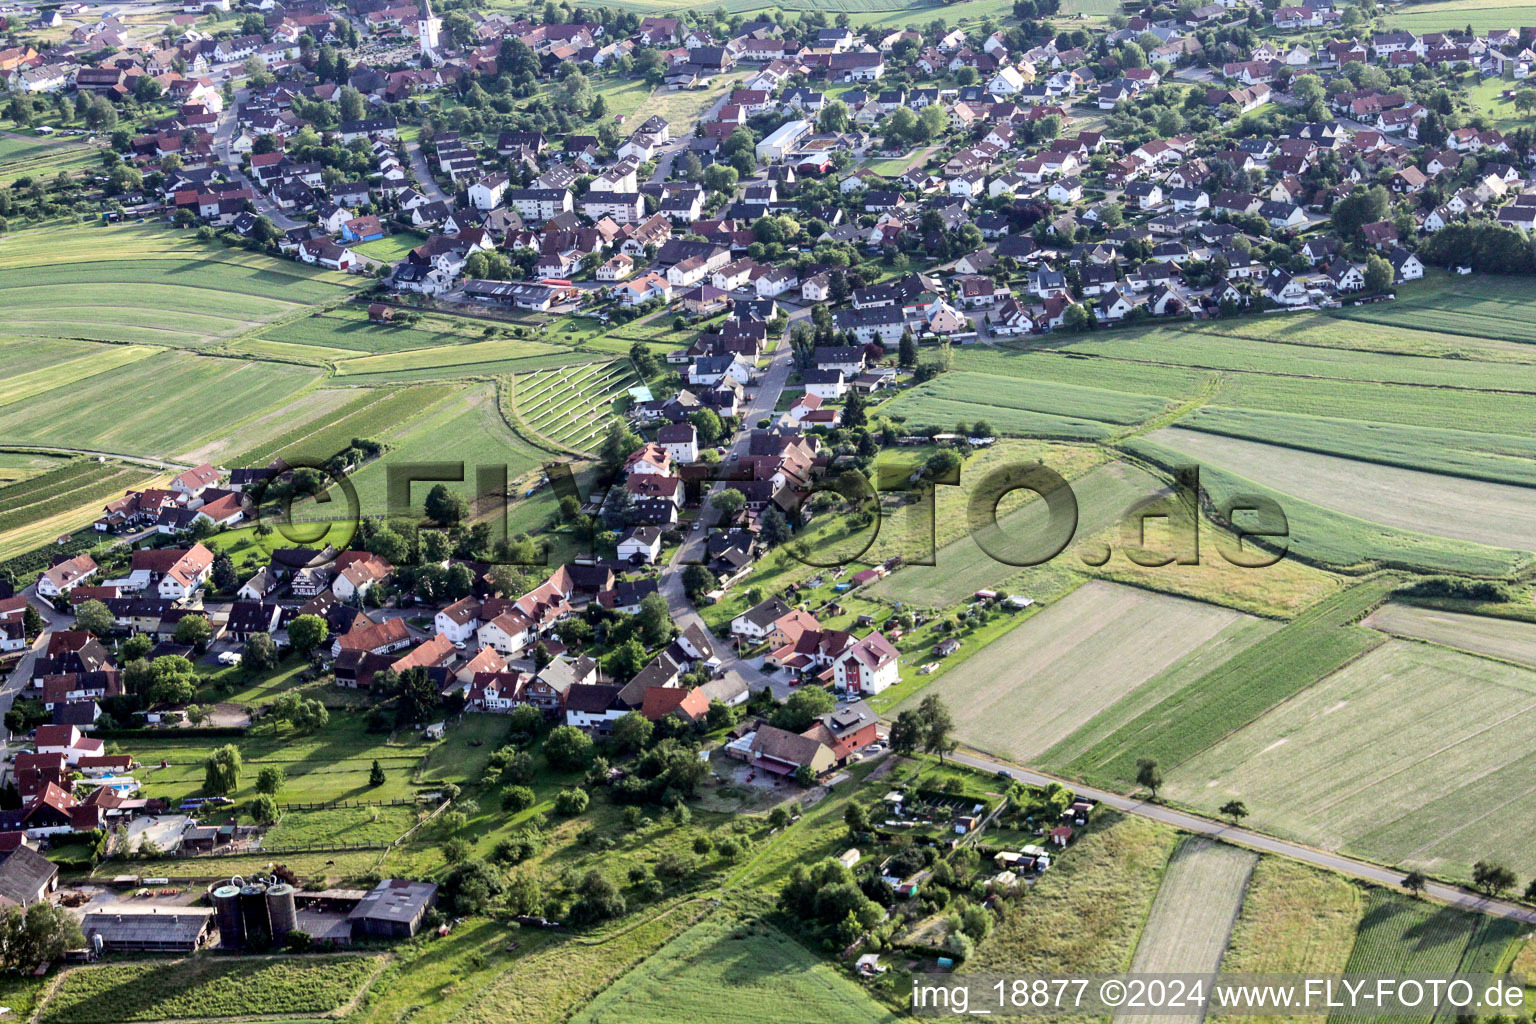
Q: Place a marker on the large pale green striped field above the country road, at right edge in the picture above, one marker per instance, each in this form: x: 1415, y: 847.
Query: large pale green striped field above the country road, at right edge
x: 1412, y: 756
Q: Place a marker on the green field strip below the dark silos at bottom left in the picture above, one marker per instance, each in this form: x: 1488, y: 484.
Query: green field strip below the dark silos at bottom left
x: 207, y: 988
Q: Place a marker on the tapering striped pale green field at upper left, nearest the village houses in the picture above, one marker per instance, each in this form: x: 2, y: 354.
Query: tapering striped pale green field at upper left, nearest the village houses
x: 150, y: 286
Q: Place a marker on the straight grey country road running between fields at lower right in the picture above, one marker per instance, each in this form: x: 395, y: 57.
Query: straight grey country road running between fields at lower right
x: 1257, y: 842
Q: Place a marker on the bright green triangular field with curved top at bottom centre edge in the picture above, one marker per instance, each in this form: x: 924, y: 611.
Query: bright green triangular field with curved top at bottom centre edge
x: 726, y: 969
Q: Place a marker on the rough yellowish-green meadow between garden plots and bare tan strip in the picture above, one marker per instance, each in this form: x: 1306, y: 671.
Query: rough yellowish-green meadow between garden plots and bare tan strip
x: 1087, y: 913
